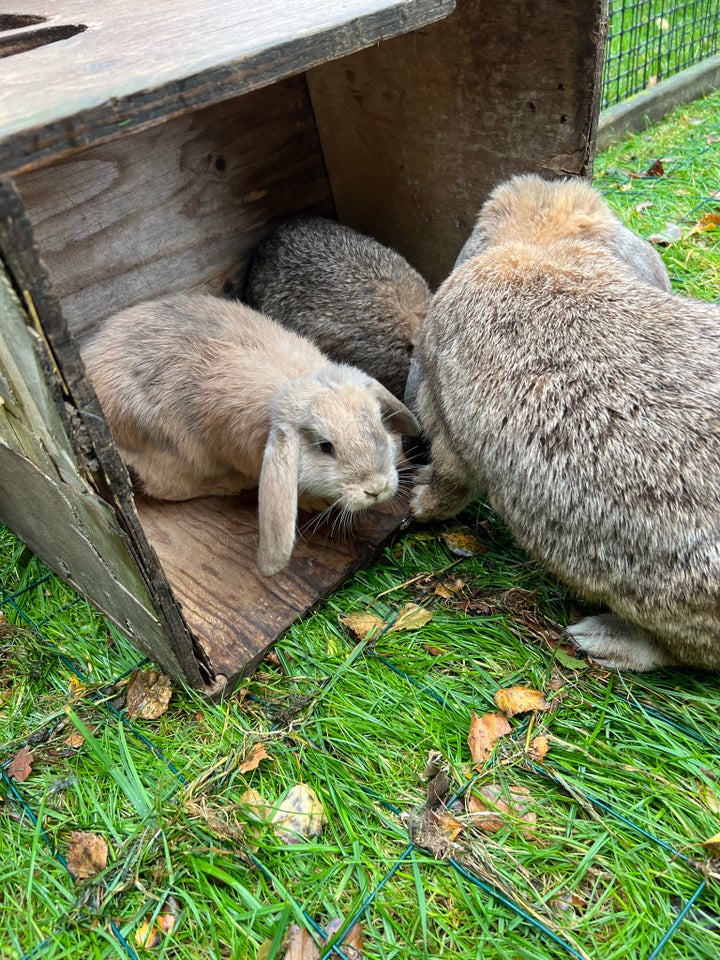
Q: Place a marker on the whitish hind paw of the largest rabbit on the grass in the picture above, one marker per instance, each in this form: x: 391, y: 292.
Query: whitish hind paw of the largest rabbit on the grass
x: 618, y: 645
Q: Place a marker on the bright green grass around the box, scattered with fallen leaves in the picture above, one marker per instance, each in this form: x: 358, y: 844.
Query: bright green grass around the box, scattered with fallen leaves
x: 356, y: 723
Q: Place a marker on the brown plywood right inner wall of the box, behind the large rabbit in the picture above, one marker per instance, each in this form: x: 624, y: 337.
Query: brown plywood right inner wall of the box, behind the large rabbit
x: 416, y: 131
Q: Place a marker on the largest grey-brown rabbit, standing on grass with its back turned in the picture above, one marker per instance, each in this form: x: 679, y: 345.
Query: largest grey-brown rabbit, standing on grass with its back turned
x: 584, y: 403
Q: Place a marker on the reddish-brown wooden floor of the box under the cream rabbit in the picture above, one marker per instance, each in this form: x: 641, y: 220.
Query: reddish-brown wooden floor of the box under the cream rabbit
x: 207, y: 550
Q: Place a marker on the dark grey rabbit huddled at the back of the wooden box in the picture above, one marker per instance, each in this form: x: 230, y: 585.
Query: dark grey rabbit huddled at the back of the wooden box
x: 357, y: 300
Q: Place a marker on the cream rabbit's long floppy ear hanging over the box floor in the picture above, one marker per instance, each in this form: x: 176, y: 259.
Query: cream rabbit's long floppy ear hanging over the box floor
x: 277, y: 499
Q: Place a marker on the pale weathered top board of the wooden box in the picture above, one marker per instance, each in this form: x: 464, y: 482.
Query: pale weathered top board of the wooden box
x: 139, y: 63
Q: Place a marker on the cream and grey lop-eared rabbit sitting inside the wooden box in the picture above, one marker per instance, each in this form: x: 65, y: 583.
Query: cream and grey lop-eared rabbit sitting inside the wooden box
x: 206, y: 397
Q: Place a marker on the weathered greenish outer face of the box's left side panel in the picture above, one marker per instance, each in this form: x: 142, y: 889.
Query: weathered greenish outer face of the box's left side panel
x: 43, y: 498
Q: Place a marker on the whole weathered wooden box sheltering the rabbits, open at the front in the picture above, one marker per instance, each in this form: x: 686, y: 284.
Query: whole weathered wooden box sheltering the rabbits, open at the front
x: 146, y: 149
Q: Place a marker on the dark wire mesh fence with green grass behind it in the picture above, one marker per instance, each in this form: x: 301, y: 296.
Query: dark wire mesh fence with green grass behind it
x: 651, y: 40
